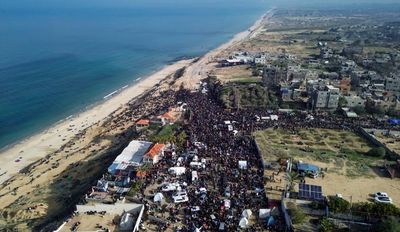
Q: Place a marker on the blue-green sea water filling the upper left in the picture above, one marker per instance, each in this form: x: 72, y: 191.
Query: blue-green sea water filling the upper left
x: 58, y: 57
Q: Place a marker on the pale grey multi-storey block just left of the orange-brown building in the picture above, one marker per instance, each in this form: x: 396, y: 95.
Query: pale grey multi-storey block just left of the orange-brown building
x: 325, y: 98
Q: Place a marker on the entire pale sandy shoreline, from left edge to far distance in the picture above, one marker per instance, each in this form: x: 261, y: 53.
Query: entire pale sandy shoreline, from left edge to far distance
x: 50, y: 139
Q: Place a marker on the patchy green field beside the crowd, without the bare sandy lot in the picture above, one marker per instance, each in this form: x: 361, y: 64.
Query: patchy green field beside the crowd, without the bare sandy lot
x: 343, y: 151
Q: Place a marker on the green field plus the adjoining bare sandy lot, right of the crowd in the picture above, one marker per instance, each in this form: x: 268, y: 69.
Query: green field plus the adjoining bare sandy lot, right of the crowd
x: 341, y: 153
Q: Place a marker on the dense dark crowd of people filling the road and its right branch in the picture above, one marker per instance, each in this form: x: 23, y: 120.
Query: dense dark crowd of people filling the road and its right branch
x: 222, y: 148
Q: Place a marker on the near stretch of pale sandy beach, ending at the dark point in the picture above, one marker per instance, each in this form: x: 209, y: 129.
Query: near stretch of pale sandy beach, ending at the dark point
x: 48, y: 141
